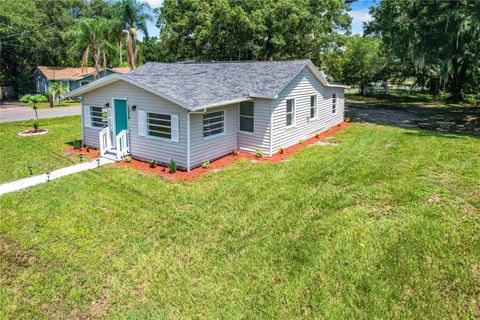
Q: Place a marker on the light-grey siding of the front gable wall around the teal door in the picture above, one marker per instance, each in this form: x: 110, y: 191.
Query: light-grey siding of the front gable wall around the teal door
x: 143, y: 148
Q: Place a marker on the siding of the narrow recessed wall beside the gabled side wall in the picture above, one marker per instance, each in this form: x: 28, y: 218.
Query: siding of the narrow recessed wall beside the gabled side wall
x: 260, y: 138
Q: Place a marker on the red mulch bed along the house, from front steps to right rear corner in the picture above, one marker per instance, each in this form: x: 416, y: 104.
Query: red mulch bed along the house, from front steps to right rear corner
x: 228, y: 159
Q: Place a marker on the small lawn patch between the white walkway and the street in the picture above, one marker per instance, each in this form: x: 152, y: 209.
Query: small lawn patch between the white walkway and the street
x: 44, y: 153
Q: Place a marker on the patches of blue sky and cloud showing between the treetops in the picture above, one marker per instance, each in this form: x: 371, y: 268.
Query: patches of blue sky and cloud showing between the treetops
x: 359, y: 14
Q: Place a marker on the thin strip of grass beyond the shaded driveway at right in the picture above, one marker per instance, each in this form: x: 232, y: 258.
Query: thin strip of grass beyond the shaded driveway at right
x: 409, y: 99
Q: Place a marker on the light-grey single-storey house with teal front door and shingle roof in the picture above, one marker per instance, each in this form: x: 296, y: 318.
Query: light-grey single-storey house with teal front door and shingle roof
x: 193, y: 112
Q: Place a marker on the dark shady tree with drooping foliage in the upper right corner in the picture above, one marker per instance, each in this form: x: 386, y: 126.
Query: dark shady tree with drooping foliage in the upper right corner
x: 441, y: 39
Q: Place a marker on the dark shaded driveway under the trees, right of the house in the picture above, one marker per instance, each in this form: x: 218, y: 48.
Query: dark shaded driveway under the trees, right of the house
x: 446, y: 119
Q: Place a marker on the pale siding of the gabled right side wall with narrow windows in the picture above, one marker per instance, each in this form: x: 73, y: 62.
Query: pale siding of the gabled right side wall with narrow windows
x: 301, y: 88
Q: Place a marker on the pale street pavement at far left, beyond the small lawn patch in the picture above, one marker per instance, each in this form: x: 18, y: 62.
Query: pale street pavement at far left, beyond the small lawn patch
x: 10, y: 112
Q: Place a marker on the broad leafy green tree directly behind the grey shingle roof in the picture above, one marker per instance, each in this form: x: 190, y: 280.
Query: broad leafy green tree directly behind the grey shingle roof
x: 245, y: 30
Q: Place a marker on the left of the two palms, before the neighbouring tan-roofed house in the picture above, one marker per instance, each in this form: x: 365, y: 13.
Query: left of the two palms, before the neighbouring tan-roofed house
x: 92, y: 36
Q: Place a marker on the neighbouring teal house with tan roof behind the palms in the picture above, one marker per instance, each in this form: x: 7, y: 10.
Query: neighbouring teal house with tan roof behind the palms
x: 73, y: 77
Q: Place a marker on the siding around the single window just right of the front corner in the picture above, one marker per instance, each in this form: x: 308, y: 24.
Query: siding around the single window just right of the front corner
x: 213, y: 147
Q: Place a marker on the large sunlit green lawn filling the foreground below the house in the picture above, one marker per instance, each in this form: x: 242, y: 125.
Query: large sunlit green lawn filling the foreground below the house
x: 385, y: 225
